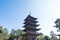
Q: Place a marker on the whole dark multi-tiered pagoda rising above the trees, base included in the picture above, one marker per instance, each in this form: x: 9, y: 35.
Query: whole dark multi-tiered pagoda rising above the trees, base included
x: 30, y: 28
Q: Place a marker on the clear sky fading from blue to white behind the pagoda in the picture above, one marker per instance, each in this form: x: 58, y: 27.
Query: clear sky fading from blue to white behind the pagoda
x: 13, y: 13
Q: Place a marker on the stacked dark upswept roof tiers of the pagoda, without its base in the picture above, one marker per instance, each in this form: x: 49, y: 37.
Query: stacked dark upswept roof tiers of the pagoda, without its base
x: 30, y: 25
